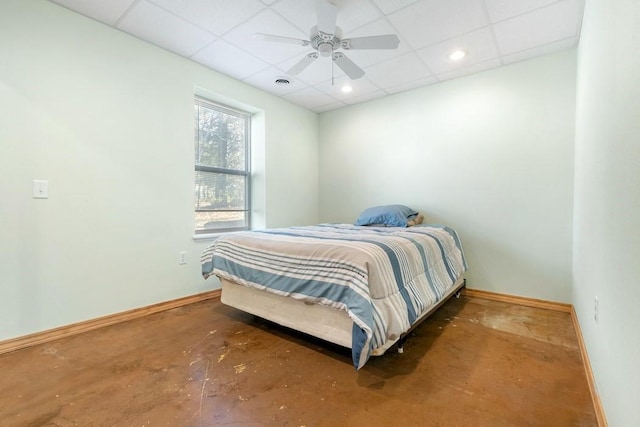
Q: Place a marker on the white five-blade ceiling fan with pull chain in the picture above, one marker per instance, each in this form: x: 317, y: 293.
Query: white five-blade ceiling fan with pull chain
x: 326, y: 40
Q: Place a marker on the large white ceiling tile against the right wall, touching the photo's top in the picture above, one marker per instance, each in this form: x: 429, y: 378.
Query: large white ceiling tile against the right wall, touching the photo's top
x: 558, y: 21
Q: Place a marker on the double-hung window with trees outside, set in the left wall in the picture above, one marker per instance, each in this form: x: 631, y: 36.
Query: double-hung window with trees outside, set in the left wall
x: 222, y: 174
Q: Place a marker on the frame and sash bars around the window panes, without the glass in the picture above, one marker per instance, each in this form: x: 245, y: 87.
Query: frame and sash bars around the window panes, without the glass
x: 200, y: 101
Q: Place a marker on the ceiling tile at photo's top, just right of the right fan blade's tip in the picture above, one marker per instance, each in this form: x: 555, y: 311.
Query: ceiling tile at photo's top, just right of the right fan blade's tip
x: 432, y: 21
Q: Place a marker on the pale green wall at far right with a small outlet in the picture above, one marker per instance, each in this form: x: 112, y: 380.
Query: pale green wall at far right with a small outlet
x: 607, y: 202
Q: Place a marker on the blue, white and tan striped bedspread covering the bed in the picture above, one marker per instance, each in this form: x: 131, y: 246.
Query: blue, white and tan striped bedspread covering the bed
x: 383, y: 277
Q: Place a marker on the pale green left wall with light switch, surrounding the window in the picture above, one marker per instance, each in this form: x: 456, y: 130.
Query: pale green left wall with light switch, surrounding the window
x: 108, y: 120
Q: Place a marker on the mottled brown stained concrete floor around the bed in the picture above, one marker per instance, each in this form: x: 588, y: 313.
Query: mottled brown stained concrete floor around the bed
x: 473, y: 363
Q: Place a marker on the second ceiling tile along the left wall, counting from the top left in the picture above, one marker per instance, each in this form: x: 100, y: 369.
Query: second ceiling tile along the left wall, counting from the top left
x: 163, y: 29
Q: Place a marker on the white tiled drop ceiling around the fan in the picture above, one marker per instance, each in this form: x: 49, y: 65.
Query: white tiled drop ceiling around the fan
x: 220, y: 34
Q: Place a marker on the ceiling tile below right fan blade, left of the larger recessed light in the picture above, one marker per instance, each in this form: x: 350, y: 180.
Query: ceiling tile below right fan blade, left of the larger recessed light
x: 402, y: 69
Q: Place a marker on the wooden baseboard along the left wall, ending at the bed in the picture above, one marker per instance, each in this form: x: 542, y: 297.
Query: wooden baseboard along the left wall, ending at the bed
x: 100, y: 322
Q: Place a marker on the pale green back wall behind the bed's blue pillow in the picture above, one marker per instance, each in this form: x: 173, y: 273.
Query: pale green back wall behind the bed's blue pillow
x: 489, y: 154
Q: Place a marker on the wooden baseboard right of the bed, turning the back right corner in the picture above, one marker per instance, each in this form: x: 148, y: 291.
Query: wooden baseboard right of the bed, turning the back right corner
x: 557, y: 306
